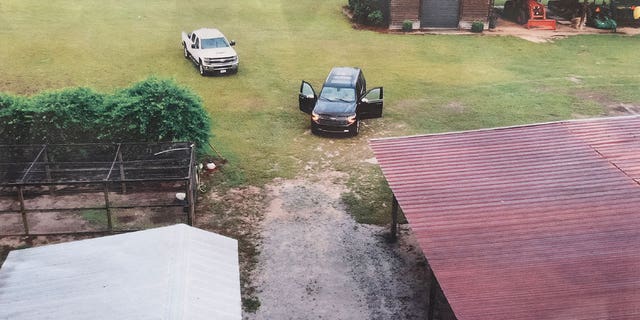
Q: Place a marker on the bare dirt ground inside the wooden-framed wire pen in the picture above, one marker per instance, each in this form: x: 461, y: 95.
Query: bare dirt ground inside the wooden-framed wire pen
x: 68, y: 209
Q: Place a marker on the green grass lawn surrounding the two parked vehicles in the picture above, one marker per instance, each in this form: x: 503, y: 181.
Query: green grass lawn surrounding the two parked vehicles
x: 432, y: 83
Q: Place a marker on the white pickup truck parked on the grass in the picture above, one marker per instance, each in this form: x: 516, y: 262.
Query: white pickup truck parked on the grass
x: 210, y: 51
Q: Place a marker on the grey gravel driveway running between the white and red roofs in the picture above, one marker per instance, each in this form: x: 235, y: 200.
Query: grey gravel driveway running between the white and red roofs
x: 316, y: 262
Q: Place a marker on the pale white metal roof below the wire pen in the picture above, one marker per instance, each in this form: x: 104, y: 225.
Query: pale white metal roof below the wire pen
x: 175, y: 272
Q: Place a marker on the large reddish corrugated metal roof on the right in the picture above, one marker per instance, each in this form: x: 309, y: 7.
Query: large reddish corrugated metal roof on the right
x: 529, y: 222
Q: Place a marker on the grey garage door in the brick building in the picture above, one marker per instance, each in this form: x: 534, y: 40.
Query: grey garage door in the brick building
x: 439, y: 13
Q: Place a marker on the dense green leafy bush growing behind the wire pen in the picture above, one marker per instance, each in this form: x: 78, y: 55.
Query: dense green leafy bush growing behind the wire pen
x: 149, y: 111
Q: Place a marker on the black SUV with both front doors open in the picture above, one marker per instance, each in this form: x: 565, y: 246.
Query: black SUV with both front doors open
x: 343, y: 102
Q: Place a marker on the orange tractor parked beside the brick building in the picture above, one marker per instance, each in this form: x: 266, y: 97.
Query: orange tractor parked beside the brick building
x: 530, y: 13
